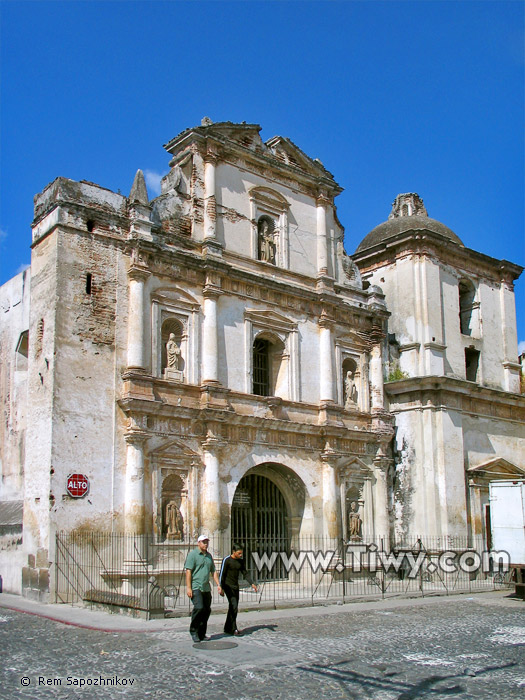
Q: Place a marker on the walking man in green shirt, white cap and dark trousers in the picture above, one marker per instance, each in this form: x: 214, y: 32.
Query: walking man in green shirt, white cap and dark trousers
x: 199, y: 565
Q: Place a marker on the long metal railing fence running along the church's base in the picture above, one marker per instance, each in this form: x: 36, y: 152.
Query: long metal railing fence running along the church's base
x: 135, y: 573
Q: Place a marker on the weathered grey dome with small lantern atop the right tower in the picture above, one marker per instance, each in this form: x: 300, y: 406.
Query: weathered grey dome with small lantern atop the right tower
x: 408, y: 214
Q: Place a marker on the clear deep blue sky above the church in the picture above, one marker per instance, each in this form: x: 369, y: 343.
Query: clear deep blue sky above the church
x: 393, y: 97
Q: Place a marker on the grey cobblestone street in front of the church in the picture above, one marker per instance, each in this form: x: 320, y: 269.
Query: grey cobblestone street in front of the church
x: 460, y: 647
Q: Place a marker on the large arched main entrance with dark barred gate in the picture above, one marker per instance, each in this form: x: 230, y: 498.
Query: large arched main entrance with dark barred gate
x: 260, y: 521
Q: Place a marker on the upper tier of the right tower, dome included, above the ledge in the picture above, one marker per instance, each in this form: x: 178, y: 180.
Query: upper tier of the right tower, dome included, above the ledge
x: 452, y: 308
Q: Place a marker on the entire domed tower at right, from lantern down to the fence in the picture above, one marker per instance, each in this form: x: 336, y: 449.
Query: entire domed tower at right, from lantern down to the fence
x: 451, y: 369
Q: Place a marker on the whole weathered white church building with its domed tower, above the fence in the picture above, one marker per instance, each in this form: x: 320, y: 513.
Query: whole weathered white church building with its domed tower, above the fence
x: 212, y: 360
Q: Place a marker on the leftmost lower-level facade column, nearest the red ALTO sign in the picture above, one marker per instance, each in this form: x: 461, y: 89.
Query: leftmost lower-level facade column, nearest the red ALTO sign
x: 134, y: 493
